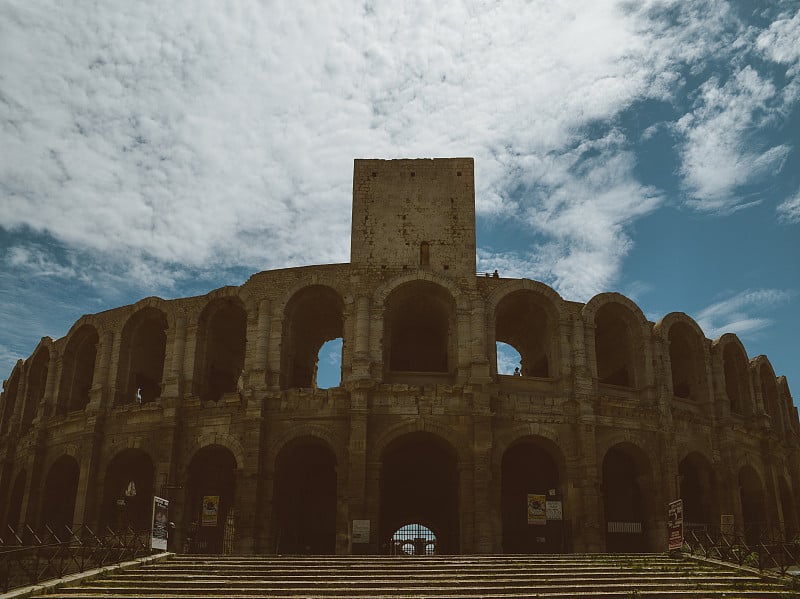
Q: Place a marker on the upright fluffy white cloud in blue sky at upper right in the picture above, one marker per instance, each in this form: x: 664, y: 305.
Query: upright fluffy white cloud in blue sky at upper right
x: 718, y: 156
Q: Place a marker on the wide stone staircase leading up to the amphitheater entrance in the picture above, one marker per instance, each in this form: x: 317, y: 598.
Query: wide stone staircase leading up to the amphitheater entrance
x: 464, y: 577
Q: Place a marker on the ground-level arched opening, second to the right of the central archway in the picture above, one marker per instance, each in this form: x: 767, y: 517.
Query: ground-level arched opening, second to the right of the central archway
x: 627, y: 486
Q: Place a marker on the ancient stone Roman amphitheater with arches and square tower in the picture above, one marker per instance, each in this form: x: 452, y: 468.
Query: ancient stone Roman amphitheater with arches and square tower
x: 211, y: 402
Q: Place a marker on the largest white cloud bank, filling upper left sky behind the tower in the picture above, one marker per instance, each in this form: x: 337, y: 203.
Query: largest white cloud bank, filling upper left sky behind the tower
x: 225, y: 136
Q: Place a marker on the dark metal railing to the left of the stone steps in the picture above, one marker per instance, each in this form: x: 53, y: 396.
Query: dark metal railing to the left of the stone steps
x: 30, y: 556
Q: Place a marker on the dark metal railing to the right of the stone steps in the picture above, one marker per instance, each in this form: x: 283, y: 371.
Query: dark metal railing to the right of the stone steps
x: 756, y: 547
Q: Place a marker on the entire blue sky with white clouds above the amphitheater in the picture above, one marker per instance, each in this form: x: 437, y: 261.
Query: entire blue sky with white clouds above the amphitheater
x: 169, y: 148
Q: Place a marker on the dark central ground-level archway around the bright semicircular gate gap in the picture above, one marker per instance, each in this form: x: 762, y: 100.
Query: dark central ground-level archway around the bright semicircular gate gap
x: 419, y: 483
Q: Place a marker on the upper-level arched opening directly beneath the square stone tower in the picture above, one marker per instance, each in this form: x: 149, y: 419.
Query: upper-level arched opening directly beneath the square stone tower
x: 419, y: 329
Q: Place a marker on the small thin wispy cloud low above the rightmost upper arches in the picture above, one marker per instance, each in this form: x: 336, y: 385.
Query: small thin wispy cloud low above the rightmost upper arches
x: 738, y: 314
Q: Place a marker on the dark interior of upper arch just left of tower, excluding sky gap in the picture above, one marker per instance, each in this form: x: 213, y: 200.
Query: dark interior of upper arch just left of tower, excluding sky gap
x: 314, y: 315
